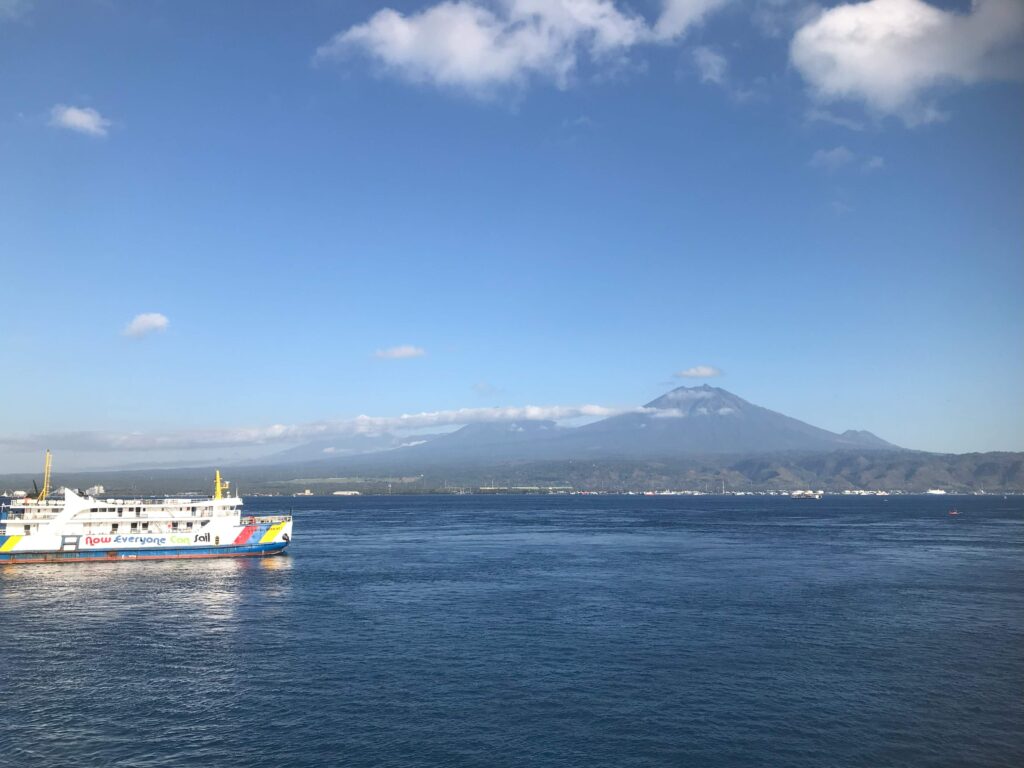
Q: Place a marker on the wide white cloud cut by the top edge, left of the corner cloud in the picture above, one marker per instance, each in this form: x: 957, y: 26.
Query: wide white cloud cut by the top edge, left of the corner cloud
x: 481, y: 47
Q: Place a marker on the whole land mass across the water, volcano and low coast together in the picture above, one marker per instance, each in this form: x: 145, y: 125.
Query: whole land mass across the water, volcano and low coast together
x: 692, y: 438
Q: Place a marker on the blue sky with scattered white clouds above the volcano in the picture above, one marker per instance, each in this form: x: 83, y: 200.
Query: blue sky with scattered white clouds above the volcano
x: 554, y: 204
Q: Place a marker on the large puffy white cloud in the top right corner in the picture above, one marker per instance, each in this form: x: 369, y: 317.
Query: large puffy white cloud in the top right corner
x: 890, y: 55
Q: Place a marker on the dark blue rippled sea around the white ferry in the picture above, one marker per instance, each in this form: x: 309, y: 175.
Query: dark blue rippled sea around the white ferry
x: 545, y: 631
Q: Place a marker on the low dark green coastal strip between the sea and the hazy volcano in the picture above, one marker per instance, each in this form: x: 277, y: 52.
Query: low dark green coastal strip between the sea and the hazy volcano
x: 834, y: 473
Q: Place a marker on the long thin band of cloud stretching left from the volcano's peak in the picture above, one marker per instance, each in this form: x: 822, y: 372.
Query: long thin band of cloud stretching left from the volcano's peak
x: 362, y: 425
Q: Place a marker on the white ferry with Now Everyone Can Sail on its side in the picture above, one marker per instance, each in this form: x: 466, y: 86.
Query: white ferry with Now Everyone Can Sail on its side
x: 82, y: 529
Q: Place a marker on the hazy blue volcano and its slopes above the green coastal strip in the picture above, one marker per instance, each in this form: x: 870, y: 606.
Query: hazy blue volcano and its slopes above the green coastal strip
x: 688, y: 422
